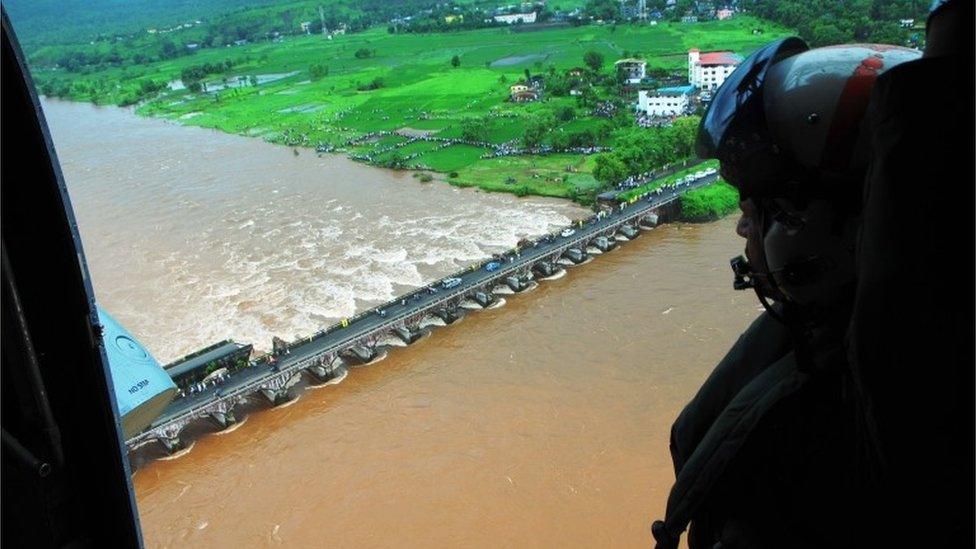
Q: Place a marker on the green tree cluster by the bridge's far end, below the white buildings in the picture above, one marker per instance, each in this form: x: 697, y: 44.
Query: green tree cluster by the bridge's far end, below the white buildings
x: 645, y: 150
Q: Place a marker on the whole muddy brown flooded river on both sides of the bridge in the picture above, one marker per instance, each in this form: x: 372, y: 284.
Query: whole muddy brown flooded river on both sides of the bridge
x: 543, y: 423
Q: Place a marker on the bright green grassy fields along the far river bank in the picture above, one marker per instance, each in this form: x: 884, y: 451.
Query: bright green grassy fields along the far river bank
x: 419, y: 90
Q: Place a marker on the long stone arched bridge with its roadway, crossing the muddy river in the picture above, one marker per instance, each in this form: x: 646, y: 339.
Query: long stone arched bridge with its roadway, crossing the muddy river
x: 323, y: 355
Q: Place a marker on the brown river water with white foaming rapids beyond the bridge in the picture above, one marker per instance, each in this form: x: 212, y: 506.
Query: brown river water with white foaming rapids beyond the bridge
x: 194, y: 235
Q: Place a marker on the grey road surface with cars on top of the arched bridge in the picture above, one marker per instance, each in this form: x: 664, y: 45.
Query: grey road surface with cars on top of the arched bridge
x: 370, y: 326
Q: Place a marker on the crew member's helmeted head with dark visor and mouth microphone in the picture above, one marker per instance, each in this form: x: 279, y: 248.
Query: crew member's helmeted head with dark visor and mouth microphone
x: 785, y: 127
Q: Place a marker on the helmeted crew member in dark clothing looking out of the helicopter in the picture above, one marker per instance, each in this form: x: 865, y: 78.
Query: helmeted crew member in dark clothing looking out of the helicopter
x: 767, y: 454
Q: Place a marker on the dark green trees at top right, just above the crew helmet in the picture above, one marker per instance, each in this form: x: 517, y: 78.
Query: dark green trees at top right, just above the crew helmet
x: 825, y: 22
